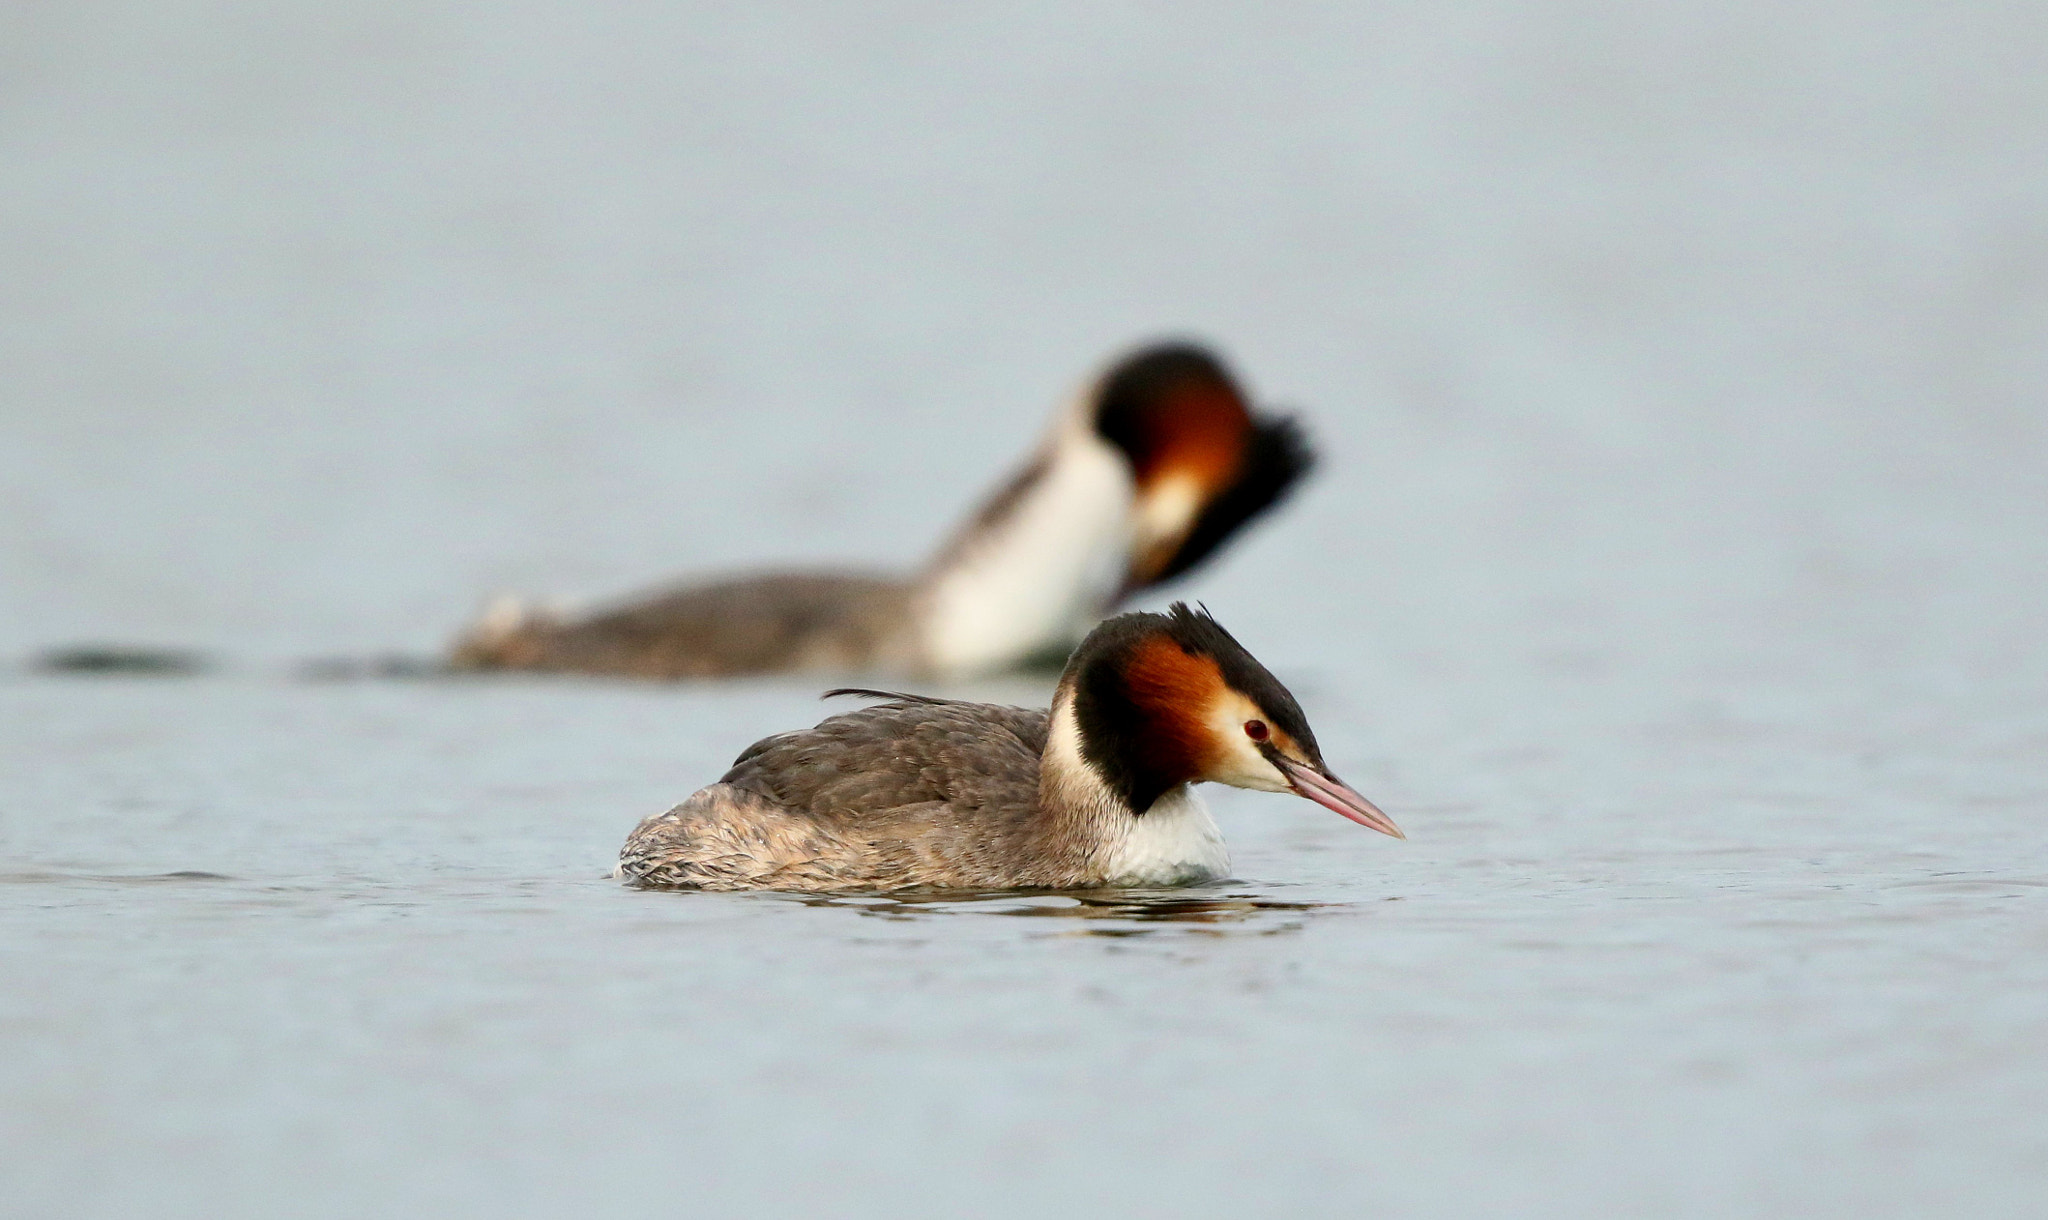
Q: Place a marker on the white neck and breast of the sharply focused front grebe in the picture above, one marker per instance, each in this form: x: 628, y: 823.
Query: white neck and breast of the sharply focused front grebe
x: 1172, y: 844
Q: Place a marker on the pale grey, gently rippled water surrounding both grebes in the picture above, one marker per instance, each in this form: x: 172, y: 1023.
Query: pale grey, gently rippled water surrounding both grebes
x: 1674, y: 578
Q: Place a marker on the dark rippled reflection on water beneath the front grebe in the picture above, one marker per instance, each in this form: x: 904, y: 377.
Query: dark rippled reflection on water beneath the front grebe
x: 1101, y: 912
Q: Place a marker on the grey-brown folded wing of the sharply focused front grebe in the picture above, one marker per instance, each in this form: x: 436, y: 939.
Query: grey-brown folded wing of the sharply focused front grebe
x: 867, y: 765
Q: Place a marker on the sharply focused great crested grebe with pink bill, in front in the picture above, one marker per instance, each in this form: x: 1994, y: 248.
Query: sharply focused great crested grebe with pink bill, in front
x: 925, y: 793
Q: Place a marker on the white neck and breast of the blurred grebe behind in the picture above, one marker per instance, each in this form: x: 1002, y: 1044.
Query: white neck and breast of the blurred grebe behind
x: 1037, y: 572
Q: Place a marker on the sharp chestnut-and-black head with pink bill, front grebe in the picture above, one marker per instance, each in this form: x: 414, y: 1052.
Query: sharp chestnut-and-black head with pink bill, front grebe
x: 1172, y: 699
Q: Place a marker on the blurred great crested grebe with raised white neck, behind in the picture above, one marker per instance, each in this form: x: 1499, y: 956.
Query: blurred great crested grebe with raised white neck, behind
x: 1140, y: 480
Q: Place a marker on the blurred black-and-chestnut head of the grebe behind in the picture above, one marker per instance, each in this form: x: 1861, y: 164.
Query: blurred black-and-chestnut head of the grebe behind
x: 1201, y: 462
